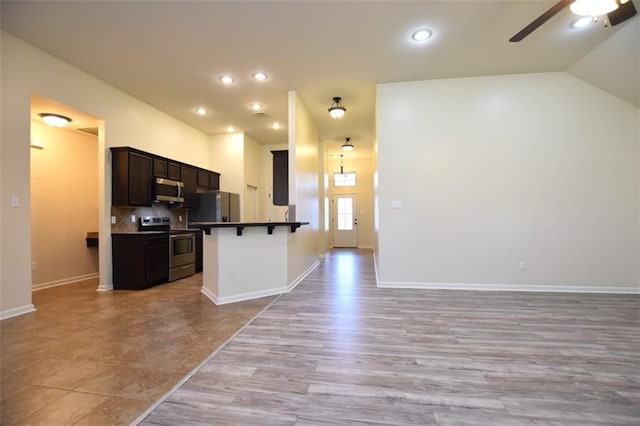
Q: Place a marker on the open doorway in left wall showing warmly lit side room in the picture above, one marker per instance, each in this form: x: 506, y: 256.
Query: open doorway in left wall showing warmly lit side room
x: 63, y: 157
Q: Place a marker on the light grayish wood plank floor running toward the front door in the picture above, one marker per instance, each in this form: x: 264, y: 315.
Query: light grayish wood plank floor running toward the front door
x: 337, y: 350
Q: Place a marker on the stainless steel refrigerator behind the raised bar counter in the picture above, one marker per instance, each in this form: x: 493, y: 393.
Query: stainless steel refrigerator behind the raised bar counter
x: 217, y: 206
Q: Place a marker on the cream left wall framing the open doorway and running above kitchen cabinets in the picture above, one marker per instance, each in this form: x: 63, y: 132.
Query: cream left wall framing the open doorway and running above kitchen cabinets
x: 125, y: 122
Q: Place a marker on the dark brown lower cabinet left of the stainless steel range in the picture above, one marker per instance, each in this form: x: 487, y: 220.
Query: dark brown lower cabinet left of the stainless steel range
x: 140, y: 260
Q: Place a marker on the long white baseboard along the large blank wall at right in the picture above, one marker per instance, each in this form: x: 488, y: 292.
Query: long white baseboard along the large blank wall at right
x: 506, y: 287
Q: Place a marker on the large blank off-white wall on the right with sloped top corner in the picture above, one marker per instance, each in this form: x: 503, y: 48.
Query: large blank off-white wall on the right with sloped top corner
x: 495, y: 170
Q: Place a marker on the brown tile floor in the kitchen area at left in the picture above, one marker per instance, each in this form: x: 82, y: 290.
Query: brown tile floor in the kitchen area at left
x: 102, y: 358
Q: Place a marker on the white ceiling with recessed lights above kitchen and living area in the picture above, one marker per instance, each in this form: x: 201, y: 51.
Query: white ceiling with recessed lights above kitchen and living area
x: 170, y: 54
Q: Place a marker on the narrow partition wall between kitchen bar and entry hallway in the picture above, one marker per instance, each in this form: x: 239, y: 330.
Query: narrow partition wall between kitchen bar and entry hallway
x: 304, y: 192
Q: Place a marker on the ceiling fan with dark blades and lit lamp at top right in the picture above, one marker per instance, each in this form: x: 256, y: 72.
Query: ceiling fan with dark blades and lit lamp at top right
x: 622, y: 10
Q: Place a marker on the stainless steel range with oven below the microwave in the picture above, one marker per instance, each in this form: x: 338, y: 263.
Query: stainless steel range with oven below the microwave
x: 182, y: 246
